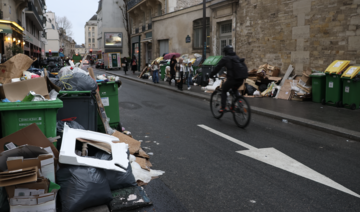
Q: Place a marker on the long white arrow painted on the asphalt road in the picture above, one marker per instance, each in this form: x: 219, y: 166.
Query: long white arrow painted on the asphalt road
x: 278, y: 159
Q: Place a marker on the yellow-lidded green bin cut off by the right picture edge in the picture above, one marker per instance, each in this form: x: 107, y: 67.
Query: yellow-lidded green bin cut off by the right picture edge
x: 351, y: 87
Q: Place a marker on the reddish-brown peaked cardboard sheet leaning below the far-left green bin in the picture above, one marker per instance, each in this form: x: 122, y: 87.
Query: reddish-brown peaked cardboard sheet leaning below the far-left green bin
x: 30, y: 135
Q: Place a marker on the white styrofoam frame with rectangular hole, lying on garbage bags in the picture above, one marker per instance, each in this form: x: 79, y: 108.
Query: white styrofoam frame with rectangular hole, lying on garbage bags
x: 68, y: 156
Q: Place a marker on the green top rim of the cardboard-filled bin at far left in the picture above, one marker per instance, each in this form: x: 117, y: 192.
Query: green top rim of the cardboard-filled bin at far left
x: 8, y: 106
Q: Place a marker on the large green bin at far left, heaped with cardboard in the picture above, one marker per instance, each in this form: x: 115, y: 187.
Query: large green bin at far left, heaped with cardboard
x: 18, y: 115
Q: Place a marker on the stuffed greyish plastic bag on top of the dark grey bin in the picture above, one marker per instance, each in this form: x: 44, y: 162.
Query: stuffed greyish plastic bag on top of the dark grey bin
x: 78, y: 82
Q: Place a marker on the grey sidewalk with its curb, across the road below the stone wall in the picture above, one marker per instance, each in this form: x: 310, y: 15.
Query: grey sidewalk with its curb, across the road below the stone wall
x: 338, y: 121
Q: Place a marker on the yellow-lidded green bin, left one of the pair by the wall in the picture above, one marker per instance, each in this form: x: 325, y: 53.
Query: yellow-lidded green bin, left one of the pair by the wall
x: 333, y: 94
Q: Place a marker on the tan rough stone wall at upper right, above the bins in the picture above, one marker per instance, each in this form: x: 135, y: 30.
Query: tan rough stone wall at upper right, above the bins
x: 304, y: 33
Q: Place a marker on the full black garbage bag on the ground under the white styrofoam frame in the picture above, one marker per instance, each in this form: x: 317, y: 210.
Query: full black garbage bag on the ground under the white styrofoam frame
x: 82, y: 187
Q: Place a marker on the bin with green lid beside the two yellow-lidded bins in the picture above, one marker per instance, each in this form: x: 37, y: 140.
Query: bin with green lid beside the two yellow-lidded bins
x: 318, y: 87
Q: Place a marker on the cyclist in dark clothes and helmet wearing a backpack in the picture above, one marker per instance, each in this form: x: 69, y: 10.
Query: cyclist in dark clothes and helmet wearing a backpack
x: 237, y: 72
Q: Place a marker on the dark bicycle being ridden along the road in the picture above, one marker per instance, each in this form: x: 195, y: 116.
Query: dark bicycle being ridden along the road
x: 238, y: 106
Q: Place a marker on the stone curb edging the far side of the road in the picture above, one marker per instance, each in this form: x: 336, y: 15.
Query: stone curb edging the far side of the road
x: 349, y: 134
